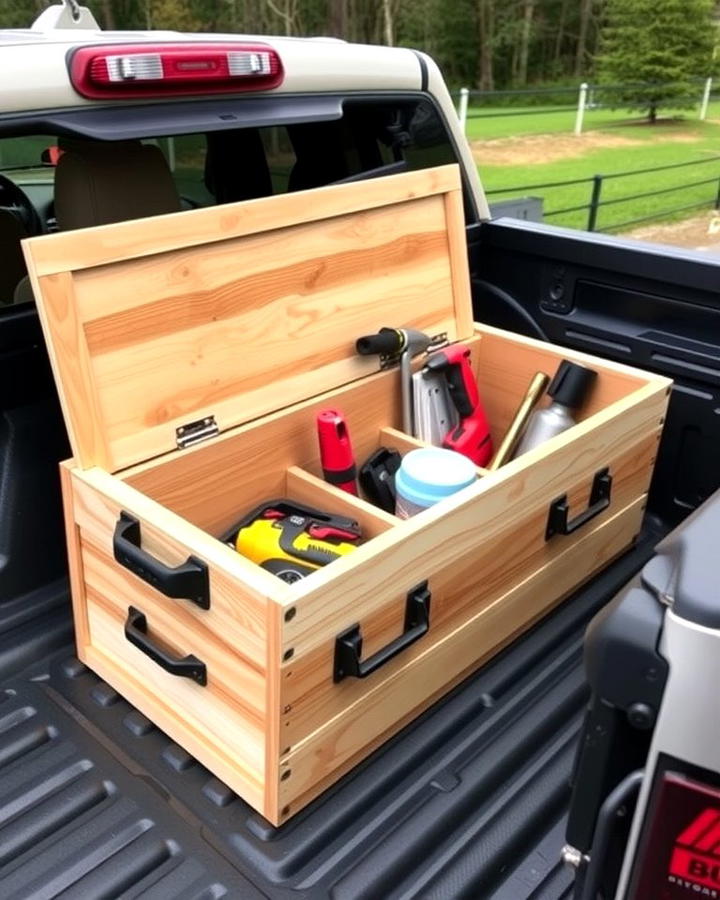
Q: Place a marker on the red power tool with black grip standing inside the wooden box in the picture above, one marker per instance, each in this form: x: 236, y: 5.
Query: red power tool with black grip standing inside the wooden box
x: 471, y: 436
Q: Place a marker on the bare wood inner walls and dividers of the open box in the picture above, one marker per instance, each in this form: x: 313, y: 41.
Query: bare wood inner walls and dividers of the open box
x: 214, y: 485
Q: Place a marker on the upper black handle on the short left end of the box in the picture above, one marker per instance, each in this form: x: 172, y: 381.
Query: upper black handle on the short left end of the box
x: 188, y: 581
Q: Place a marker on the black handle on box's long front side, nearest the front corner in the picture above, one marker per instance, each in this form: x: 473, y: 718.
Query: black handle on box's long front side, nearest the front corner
x: 348, y: 645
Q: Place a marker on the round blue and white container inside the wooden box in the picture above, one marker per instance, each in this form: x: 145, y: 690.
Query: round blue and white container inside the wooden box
x: 429, y: 475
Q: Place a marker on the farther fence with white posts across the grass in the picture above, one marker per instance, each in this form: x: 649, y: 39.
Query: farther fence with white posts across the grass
x: 580, y: 98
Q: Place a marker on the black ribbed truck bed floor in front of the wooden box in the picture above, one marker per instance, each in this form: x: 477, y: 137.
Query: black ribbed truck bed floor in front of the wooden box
x: 467, y: 802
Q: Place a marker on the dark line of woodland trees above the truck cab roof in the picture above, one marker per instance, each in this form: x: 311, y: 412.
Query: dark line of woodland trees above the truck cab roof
x: 487, y: 44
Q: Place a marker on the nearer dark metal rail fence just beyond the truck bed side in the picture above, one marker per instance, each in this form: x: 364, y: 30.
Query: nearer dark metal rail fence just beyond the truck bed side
x: 596, y: 202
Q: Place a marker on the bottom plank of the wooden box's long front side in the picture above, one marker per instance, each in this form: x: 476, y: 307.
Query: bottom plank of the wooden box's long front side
x: 380, y: 713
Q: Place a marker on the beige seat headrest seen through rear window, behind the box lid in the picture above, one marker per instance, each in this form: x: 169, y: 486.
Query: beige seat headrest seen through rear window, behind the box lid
x: 97, y: 182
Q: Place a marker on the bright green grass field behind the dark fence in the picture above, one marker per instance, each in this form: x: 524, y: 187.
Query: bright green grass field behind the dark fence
x: 654, y: 147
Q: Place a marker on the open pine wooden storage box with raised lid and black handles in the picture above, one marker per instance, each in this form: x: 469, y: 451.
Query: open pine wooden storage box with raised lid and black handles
x: 242, y: 319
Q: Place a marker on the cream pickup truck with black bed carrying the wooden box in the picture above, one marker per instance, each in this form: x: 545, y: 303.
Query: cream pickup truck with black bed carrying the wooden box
x: 469, y: 801
